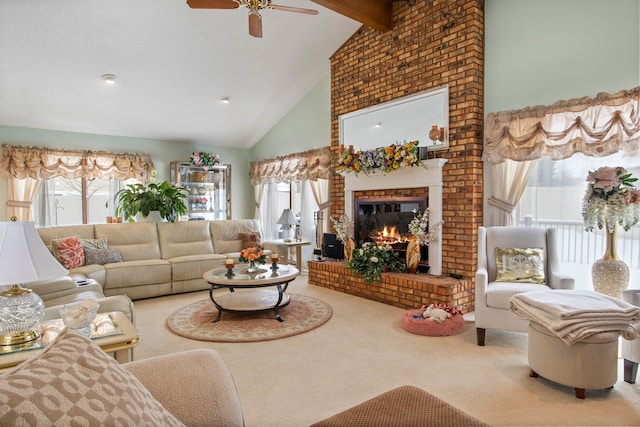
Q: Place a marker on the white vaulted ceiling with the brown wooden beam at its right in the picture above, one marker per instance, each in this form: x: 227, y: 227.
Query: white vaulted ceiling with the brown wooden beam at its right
x: 173, y: 65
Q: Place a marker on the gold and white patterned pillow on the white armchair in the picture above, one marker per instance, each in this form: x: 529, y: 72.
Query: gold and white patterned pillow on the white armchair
x: 523, y: 265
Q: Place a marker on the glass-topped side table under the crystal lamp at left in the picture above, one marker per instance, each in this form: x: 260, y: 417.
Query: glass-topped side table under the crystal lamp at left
x: 114, y: 333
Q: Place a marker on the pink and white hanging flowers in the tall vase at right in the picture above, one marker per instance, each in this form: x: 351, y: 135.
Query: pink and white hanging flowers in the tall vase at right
x: 611, y: 199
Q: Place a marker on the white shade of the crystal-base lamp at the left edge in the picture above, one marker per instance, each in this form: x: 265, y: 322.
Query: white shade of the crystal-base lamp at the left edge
x: 23, y: 256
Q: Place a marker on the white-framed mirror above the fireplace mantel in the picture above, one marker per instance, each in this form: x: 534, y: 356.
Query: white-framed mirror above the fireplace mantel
x: 410, y: 118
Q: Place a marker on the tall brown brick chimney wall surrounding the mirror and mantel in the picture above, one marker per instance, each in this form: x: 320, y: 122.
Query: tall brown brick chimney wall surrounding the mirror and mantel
x: 432, y: 43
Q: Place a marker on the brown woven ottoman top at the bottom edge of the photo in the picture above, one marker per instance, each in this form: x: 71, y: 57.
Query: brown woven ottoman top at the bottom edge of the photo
x: 405, y: 406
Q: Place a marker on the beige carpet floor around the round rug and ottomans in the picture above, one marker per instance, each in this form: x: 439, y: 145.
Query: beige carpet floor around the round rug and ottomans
x: 362, y: 352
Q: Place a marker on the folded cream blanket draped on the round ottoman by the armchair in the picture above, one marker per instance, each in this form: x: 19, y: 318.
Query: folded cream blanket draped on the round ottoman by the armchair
x: 576, y: 315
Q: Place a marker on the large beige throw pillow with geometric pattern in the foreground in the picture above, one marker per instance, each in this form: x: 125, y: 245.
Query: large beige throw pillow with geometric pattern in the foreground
x: 74, y: 382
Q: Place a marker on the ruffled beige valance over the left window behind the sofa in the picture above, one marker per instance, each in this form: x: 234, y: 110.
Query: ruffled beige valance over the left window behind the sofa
x: 20, y: 161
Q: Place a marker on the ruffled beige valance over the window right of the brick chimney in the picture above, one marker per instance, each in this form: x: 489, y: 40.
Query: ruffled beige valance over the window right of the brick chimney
x: 596, y: 127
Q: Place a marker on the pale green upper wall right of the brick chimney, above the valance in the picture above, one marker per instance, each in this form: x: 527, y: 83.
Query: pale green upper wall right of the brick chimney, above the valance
x: 543, y: 51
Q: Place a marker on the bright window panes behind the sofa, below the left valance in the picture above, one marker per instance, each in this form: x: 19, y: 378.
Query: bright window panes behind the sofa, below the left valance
x: 69, y: 201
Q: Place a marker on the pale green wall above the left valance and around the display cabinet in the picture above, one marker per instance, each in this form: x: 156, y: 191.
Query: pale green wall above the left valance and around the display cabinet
x: 162, y: 153
